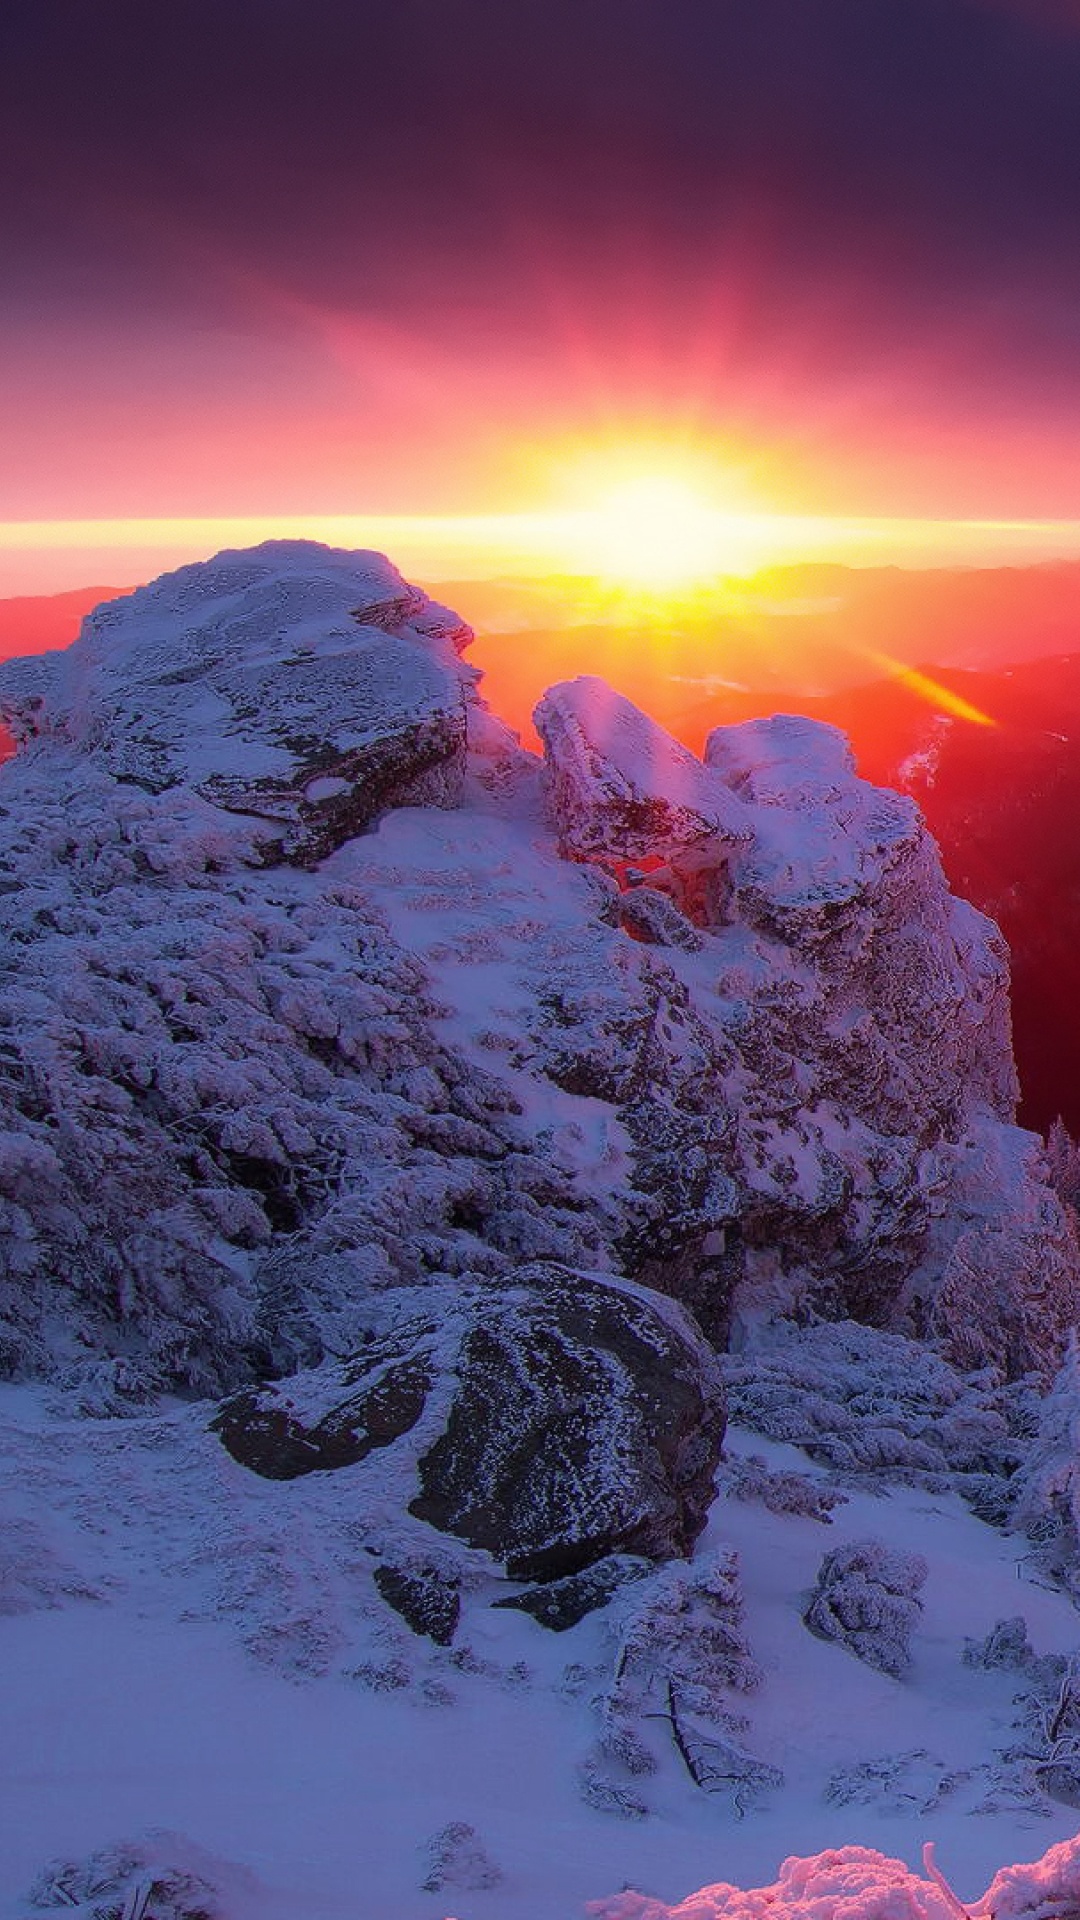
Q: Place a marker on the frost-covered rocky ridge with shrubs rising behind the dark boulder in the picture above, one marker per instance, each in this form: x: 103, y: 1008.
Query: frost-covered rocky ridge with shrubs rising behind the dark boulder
x: 714, y: 1026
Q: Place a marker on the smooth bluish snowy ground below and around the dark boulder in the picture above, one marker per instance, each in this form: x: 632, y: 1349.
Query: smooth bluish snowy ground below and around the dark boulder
x: 185, y: 1664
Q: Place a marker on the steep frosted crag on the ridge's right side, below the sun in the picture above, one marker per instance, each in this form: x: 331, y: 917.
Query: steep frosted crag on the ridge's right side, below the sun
x: 860, y: 1067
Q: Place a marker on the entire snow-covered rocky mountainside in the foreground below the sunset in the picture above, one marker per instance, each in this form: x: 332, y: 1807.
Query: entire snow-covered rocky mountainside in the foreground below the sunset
x: 443, y: 1189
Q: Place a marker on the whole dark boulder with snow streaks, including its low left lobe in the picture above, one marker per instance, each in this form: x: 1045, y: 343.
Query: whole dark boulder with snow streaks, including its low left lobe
x: 552, y: 1422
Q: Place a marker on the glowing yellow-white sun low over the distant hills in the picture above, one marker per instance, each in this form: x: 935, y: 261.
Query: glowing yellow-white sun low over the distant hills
x: 654, y: 533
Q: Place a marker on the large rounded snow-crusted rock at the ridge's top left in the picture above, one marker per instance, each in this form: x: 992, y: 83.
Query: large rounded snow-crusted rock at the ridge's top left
x: 310, y: 698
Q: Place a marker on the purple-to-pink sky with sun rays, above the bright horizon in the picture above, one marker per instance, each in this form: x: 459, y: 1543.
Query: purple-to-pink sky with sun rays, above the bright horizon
x: 466, y: 258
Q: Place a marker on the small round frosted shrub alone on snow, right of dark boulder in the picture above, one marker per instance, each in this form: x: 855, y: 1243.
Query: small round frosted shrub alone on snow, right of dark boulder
x: 868, y: 1600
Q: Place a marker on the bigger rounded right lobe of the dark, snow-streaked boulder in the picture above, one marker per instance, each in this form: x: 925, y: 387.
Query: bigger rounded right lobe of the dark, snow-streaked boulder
x: 589, y: 1422
